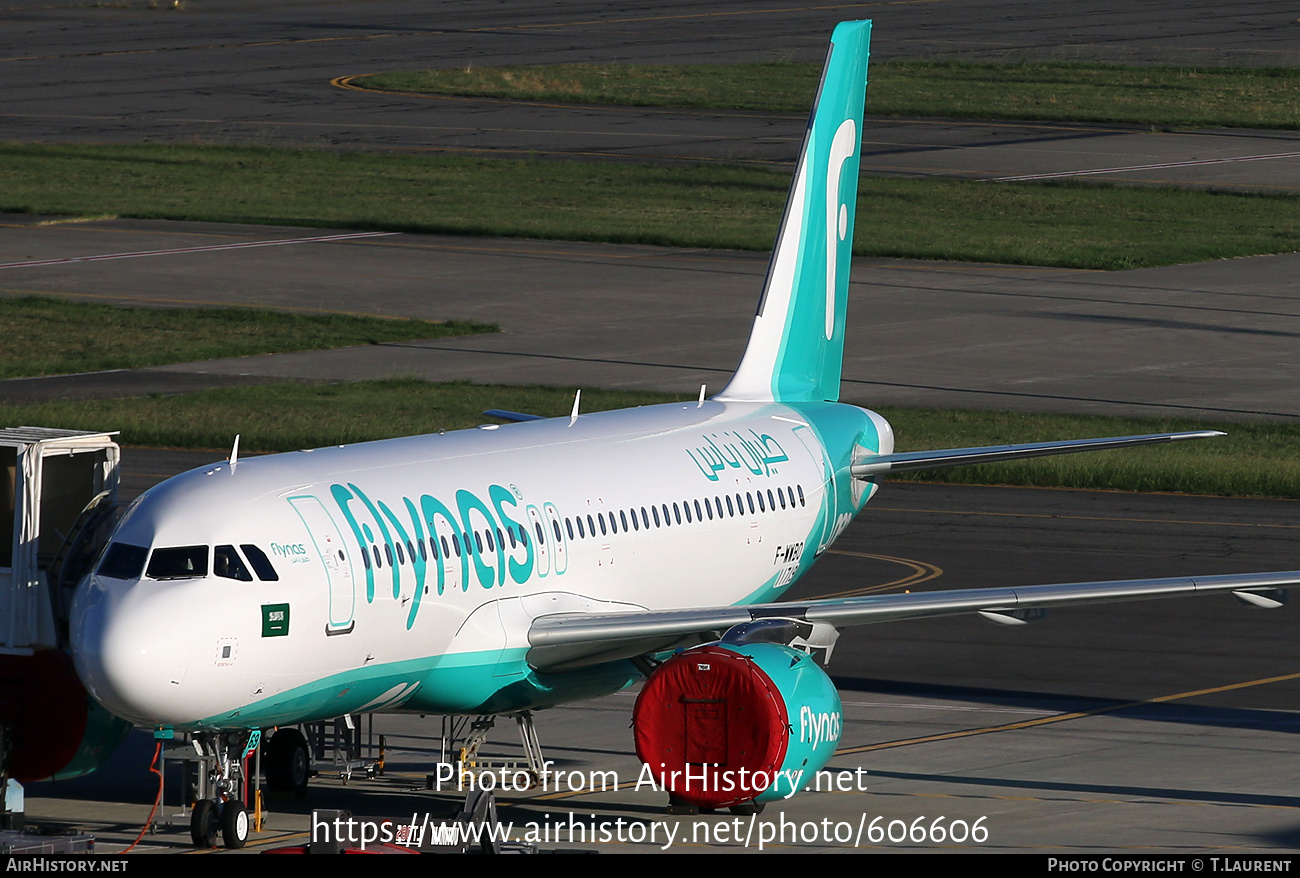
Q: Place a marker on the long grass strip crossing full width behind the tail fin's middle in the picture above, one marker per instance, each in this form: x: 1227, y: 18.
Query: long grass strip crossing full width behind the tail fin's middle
x: 1071, y: 226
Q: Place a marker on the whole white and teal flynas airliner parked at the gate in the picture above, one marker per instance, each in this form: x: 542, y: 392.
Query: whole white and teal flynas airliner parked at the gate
x: 519, y: 566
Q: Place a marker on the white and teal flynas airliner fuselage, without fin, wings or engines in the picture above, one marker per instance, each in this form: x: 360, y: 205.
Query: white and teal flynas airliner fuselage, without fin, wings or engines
x: 405, y: 574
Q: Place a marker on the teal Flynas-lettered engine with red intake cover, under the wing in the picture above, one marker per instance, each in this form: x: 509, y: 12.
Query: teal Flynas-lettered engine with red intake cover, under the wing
x: 729, y: 724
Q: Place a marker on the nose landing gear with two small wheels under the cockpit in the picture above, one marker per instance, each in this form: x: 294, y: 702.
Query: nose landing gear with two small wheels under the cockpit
x: 222, y: 788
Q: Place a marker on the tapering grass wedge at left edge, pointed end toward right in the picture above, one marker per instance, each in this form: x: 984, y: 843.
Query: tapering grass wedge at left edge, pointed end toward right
x: 45, y: 336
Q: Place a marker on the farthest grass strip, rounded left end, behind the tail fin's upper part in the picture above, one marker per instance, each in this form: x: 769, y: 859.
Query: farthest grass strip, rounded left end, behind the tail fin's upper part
x: 1077, y: 93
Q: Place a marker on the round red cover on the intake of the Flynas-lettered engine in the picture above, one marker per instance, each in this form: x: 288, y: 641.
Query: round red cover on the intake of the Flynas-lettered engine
x: 712, y: 726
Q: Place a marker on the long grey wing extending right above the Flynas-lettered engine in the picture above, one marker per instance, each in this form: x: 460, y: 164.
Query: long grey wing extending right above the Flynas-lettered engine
x: 570, y: 641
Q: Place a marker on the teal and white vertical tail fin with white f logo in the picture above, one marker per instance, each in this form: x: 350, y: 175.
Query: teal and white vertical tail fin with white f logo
x: 796, y: 349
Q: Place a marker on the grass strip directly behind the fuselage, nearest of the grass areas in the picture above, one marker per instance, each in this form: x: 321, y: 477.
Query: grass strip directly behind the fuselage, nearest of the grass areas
x: 1253, y: 460
